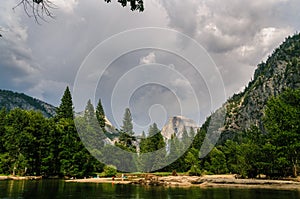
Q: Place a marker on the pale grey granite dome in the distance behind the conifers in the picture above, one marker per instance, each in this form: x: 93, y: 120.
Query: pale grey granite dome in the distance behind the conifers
x: 176, y: 126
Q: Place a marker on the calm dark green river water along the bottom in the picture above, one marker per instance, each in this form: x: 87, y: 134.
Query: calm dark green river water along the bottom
x: 59, y: 189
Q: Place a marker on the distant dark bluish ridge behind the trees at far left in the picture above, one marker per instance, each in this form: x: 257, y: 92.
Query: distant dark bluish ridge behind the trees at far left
x: 11, y: 100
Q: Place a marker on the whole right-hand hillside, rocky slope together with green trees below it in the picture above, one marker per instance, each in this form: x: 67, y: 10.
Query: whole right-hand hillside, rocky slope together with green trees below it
x: 261, y: 133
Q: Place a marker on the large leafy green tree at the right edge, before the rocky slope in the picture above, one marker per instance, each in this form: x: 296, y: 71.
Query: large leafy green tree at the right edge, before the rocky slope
x: 282, y: 118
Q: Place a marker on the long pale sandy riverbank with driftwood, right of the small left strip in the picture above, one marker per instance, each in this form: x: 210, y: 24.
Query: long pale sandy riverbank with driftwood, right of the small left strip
x: 203, y: 181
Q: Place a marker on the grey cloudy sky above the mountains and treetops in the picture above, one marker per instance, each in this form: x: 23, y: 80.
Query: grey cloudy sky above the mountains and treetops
x: 199, y: 53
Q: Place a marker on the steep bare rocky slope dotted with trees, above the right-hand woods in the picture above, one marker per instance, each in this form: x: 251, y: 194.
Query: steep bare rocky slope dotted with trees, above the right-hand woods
x: 279, y: 72
